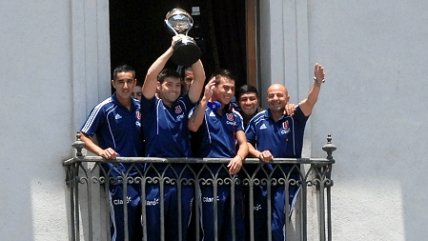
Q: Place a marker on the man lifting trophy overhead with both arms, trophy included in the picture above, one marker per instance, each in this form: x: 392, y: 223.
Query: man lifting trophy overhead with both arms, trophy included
x: 165, y: 114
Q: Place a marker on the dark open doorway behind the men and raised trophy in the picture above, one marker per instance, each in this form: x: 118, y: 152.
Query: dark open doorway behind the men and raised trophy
x: 138, y: 34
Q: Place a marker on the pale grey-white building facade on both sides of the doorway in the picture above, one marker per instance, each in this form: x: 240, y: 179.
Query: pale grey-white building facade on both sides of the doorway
x: 55, y: 68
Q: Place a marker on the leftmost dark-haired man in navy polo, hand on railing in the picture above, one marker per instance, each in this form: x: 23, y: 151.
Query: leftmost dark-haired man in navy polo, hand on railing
x: 115, y: 123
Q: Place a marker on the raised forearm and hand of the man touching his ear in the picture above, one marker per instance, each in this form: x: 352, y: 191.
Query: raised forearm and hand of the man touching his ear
x: 197, y: 117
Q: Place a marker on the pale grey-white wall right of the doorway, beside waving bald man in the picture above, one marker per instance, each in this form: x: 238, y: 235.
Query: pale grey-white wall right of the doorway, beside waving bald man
x: 375, y: 55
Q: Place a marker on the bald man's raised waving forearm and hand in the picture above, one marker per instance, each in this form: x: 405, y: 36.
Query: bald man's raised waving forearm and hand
x: 308, y: 104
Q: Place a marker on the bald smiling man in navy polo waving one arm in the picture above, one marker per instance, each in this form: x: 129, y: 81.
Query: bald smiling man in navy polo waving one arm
x: 273, y: 134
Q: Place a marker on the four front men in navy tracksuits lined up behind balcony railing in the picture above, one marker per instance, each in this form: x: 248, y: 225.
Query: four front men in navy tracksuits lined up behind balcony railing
x: 160, y: 125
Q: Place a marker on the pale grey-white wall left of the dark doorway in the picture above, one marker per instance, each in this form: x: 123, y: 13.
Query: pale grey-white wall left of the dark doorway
x: 49, y: 63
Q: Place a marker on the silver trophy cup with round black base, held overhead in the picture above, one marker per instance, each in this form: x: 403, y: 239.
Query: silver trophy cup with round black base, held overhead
x: 186, y: 52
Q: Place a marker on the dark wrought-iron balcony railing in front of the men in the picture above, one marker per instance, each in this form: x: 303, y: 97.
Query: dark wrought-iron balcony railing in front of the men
x: 309, y: 216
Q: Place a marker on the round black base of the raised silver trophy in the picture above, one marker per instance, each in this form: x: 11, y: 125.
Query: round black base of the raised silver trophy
x: 186, y: 52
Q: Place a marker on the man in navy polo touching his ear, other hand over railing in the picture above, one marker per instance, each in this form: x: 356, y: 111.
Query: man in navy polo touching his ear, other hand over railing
x: 223, y: 136
